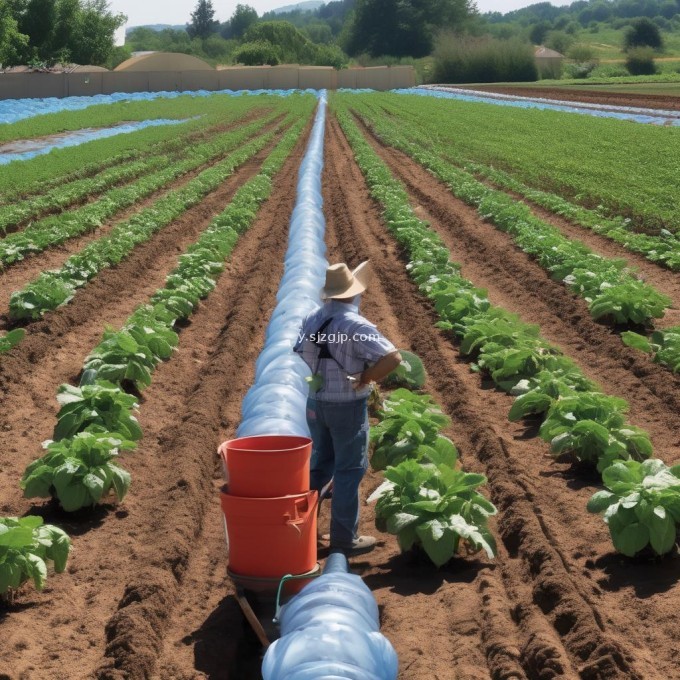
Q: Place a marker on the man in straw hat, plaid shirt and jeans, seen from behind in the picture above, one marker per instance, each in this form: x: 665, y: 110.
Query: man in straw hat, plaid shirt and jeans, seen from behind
x: 346, y: 353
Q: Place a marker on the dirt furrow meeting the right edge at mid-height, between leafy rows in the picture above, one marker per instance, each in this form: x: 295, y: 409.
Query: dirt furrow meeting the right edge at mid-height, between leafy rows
x: 491, y: 261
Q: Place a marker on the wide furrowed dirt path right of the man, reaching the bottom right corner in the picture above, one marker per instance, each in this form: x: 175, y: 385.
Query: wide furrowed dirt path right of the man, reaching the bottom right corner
x: 547, y: 607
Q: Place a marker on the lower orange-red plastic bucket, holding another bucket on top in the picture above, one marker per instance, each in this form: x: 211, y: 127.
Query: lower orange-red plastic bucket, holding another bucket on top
x: 271, y: 537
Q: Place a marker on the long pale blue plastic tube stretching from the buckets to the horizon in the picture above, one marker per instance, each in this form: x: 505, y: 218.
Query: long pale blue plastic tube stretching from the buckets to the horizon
x: 275, y: 404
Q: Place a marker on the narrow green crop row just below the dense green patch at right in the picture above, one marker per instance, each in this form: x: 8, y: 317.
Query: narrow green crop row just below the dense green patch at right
x: 663, y: 249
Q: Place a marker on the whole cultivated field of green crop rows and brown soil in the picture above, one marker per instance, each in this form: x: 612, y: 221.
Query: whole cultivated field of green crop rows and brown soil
x: 559, y: 259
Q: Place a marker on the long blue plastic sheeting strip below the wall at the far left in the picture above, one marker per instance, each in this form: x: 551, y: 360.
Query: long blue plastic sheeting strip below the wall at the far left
x: 12, y: 110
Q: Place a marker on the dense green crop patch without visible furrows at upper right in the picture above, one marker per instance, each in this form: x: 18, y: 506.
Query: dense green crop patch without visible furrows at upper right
x: 581, y: 157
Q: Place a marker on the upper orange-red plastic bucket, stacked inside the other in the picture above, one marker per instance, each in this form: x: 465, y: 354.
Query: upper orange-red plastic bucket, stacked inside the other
x: 267, y: 466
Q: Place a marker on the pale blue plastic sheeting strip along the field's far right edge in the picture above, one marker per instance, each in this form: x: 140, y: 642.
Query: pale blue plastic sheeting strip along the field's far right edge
x: 638, y: 115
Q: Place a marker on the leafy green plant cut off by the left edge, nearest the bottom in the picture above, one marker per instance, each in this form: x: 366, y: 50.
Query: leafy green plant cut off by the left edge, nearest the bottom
x: 26, y: 545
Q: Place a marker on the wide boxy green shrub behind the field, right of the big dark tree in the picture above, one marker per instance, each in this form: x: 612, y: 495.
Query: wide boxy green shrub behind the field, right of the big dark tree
x: 482, y: 60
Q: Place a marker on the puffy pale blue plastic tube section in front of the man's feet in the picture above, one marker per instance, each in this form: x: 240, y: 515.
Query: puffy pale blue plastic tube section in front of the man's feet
x: 330, y: 630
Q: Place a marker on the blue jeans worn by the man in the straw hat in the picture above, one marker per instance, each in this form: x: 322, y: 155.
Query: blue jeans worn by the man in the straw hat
x: 339, y: 433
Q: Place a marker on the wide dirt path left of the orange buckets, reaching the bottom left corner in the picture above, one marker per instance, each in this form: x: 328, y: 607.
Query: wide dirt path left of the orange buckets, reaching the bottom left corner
x: 112, y: 607
